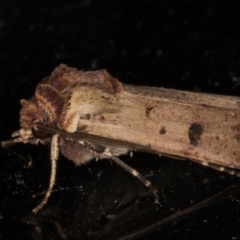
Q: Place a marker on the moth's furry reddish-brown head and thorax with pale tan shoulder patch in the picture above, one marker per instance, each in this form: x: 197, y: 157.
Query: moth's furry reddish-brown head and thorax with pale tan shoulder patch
x: 67, y: 95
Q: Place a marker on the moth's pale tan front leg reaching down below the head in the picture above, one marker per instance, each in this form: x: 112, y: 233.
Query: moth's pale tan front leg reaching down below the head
x: 54, y: 157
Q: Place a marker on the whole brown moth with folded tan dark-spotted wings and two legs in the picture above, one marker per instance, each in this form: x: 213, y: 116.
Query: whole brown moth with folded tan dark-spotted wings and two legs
x: 200, y: 127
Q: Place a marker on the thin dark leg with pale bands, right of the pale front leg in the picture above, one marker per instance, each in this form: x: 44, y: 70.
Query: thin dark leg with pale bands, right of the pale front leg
x: 137, y: 175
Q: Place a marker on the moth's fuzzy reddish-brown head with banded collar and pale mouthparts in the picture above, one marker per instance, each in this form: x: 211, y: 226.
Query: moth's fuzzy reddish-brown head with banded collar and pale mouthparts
x: 44, y: 108
